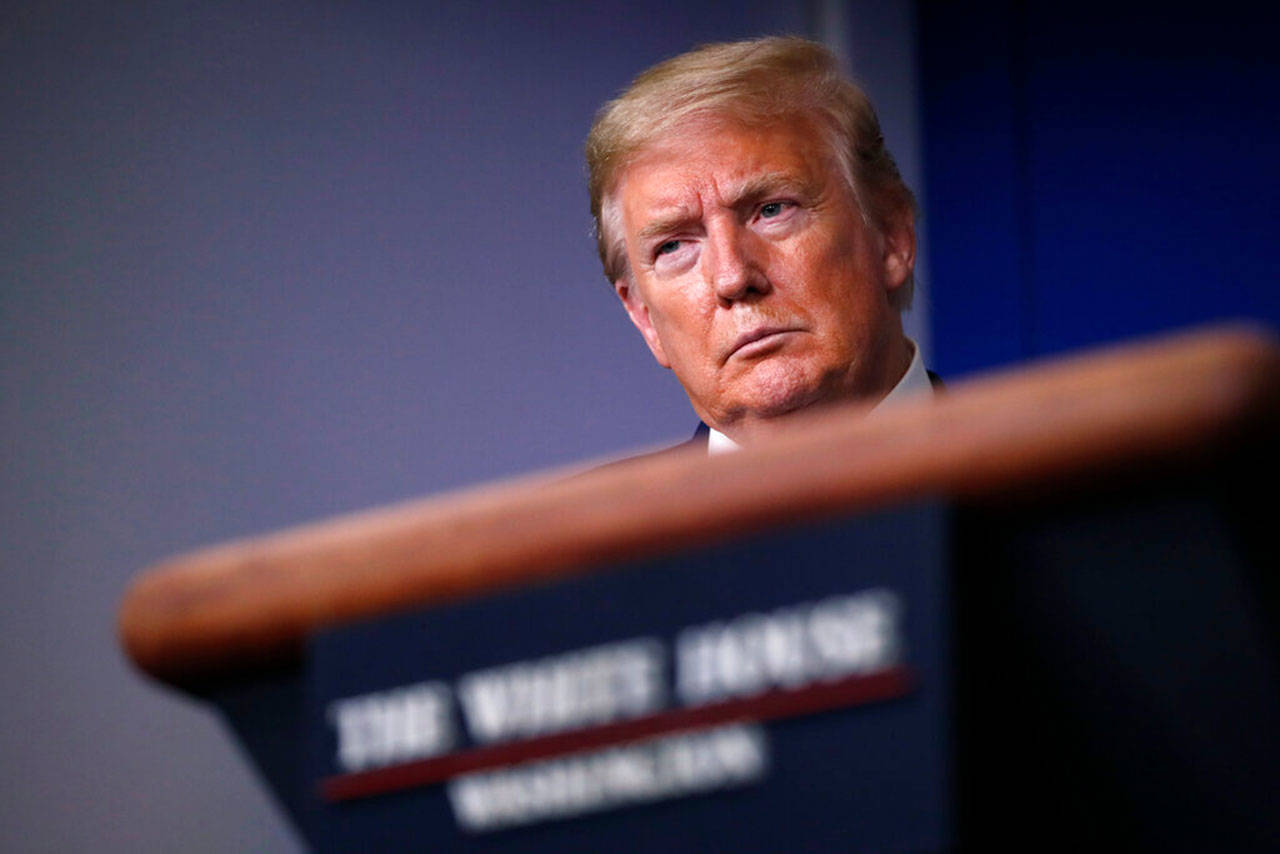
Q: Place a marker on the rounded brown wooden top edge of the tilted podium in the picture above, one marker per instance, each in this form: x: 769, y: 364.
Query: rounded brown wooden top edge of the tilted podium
x: 244, y: 608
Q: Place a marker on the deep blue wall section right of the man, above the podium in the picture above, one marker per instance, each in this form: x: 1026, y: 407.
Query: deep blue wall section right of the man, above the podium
x: 1096, y: 172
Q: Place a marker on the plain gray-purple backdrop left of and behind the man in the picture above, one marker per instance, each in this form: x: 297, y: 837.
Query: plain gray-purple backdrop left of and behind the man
x: 264, y: 263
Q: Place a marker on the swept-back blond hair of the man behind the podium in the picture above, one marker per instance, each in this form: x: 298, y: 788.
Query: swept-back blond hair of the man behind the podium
x: 755, y: 83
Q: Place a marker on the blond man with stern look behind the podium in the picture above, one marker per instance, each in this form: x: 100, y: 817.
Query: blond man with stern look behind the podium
x: 758, y: 234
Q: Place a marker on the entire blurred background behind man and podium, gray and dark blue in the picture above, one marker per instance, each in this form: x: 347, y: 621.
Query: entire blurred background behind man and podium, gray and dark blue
x: 263, y: 263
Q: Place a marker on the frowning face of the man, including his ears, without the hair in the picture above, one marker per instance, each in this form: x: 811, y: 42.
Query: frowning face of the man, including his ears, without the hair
x: 755, y: 276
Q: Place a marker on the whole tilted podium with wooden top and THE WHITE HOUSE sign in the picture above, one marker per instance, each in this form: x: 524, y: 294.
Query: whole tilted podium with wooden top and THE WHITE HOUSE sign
x: 1037, y: 610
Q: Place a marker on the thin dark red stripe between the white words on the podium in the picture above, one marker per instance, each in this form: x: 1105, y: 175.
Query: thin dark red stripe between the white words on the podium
x: 852, y: 691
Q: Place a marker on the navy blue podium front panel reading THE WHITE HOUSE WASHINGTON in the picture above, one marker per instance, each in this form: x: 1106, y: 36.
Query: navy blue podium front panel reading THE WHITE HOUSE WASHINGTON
x: 783, y: 692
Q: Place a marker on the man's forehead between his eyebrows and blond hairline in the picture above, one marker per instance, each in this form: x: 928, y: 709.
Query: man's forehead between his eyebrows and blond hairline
x: 712, y: 161
